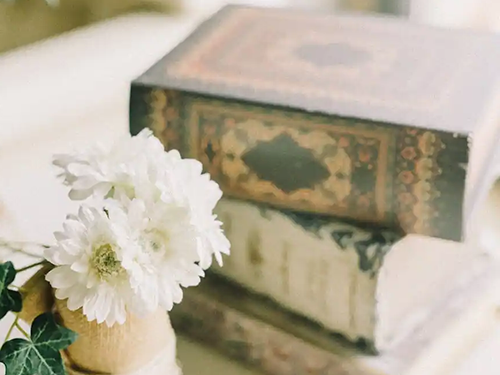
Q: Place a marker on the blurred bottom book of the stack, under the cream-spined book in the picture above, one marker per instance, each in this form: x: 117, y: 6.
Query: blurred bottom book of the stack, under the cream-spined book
x: 255, y: 331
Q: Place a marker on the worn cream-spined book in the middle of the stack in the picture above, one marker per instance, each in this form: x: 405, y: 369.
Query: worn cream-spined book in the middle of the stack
x: 346, y: 278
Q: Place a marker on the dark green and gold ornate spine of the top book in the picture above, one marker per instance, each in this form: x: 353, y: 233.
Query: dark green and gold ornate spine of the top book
x: 402, y: 177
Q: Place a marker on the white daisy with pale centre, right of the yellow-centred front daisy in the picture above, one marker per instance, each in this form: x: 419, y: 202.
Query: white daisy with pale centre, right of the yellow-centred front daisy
x: 167, y: 256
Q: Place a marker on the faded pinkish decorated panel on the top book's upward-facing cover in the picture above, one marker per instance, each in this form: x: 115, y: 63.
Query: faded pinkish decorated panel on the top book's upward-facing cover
x: 249, y: 48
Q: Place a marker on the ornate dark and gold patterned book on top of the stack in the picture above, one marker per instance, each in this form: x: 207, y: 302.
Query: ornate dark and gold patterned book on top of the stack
x: 368, y: 118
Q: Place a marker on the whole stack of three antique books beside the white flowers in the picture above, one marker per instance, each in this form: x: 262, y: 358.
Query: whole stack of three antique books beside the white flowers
x: 354, y: 153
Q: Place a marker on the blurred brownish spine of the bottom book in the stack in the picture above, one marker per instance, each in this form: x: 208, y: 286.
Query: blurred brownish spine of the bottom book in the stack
x: 254, y: 342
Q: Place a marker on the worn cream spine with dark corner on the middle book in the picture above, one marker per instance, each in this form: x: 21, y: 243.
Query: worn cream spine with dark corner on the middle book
x: 319, y: 268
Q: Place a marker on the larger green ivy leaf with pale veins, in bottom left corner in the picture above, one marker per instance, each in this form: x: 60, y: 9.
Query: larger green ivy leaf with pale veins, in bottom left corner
x: 40, y: 355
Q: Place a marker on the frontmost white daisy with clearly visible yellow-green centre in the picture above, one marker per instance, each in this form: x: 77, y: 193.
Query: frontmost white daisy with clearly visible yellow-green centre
x: 89, y: 272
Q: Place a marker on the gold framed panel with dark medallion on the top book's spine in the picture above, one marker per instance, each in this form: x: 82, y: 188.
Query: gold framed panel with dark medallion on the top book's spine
x: 221, y: 135
